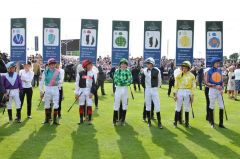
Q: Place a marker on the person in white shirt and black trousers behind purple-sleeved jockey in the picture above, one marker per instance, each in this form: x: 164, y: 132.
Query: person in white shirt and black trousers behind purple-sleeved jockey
x: 27, y: 75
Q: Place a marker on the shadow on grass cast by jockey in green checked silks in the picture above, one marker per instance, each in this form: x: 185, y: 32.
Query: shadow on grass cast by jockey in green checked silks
x: 129, y: 145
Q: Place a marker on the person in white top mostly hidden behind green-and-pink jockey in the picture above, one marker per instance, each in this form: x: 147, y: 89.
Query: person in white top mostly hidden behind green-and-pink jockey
x: 62, y: 73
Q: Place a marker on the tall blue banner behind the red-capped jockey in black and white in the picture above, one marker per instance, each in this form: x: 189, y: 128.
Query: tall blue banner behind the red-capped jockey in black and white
x: 89, y: 39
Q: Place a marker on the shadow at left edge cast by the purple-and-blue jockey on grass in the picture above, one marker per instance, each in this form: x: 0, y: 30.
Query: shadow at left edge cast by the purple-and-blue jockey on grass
x: 11, y: 129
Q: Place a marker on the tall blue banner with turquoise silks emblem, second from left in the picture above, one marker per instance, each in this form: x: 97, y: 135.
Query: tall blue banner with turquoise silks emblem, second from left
x: 51, y: 39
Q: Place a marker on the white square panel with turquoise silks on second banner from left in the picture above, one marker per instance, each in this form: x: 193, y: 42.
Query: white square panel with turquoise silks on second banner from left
x: 51, y: 36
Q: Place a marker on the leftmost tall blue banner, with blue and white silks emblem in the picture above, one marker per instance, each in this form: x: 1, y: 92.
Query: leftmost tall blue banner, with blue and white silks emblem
x: 18, y: 40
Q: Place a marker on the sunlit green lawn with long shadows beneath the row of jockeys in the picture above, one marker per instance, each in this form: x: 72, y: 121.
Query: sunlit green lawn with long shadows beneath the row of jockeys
x: 31, y: 139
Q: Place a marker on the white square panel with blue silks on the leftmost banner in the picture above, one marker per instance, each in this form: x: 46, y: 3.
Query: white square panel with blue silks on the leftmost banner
x: 18, y: 37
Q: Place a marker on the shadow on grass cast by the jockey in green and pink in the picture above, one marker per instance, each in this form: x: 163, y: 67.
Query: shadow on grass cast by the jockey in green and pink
x: 34, y: 145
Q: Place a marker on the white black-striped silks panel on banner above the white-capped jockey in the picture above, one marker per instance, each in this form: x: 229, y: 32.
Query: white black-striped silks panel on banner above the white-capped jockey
x: 152, y: 40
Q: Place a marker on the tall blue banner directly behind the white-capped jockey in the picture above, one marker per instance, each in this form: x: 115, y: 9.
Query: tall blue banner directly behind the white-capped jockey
x: 152, y: 40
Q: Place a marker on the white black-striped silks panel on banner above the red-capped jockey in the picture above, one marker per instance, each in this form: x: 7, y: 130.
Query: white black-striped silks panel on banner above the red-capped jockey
x: 89, y: 37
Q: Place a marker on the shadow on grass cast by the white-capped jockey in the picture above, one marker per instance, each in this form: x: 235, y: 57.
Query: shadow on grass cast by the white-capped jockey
x: 167, y: 140
